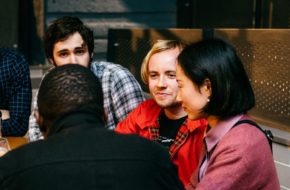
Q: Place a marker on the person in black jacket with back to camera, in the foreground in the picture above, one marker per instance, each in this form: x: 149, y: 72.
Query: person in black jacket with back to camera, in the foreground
x: 78, y: 152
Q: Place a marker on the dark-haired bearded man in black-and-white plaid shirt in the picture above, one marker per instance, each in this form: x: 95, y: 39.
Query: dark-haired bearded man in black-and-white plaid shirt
x: 68, y: 40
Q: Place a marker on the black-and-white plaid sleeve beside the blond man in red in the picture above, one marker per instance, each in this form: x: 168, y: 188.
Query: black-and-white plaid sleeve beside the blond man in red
x: 126, y: 93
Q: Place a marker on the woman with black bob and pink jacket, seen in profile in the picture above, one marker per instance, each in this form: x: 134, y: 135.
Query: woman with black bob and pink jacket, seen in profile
x: 213, y: 84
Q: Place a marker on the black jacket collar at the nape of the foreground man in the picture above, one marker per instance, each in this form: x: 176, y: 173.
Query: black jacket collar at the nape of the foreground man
x: 74, y: 120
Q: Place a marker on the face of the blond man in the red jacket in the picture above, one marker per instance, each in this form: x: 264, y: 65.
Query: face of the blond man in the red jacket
x: 162, y: 78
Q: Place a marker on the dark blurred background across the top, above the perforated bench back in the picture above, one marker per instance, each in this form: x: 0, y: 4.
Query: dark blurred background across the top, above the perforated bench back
x: 23, y: 22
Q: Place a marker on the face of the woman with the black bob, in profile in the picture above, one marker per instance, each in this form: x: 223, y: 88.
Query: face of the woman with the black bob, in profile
x: 193, y: 98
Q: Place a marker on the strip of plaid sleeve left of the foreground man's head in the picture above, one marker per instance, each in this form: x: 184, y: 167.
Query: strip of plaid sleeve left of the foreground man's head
x: 34, y: 133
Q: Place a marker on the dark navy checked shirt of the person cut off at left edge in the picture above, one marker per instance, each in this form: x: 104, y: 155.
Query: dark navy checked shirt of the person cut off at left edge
x: 15, y: 92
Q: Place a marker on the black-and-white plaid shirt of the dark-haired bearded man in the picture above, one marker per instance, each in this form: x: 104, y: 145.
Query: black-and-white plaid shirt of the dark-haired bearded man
x: 122, y: 93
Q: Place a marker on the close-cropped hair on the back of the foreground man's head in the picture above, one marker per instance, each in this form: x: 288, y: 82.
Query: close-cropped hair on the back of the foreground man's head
x: 69, y: 88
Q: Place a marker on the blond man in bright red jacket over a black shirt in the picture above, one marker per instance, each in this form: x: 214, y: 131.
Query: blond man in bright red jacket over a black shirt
x: 162, y: 119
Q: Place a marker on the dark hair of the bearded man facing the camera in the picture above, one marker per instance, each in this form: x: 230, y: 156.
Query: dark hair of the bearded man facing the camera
x: 62, y: 28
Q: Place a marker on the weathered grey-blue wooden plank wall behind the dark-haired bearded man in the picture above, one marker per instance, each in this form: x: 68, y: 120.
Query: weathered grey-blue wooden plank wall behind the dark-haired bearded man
x: 103, y: 14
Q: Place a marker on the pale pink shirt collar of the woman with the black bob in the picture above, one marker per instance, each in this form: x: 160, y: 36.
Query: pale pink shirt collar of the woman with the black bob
x: 216, y: 134
